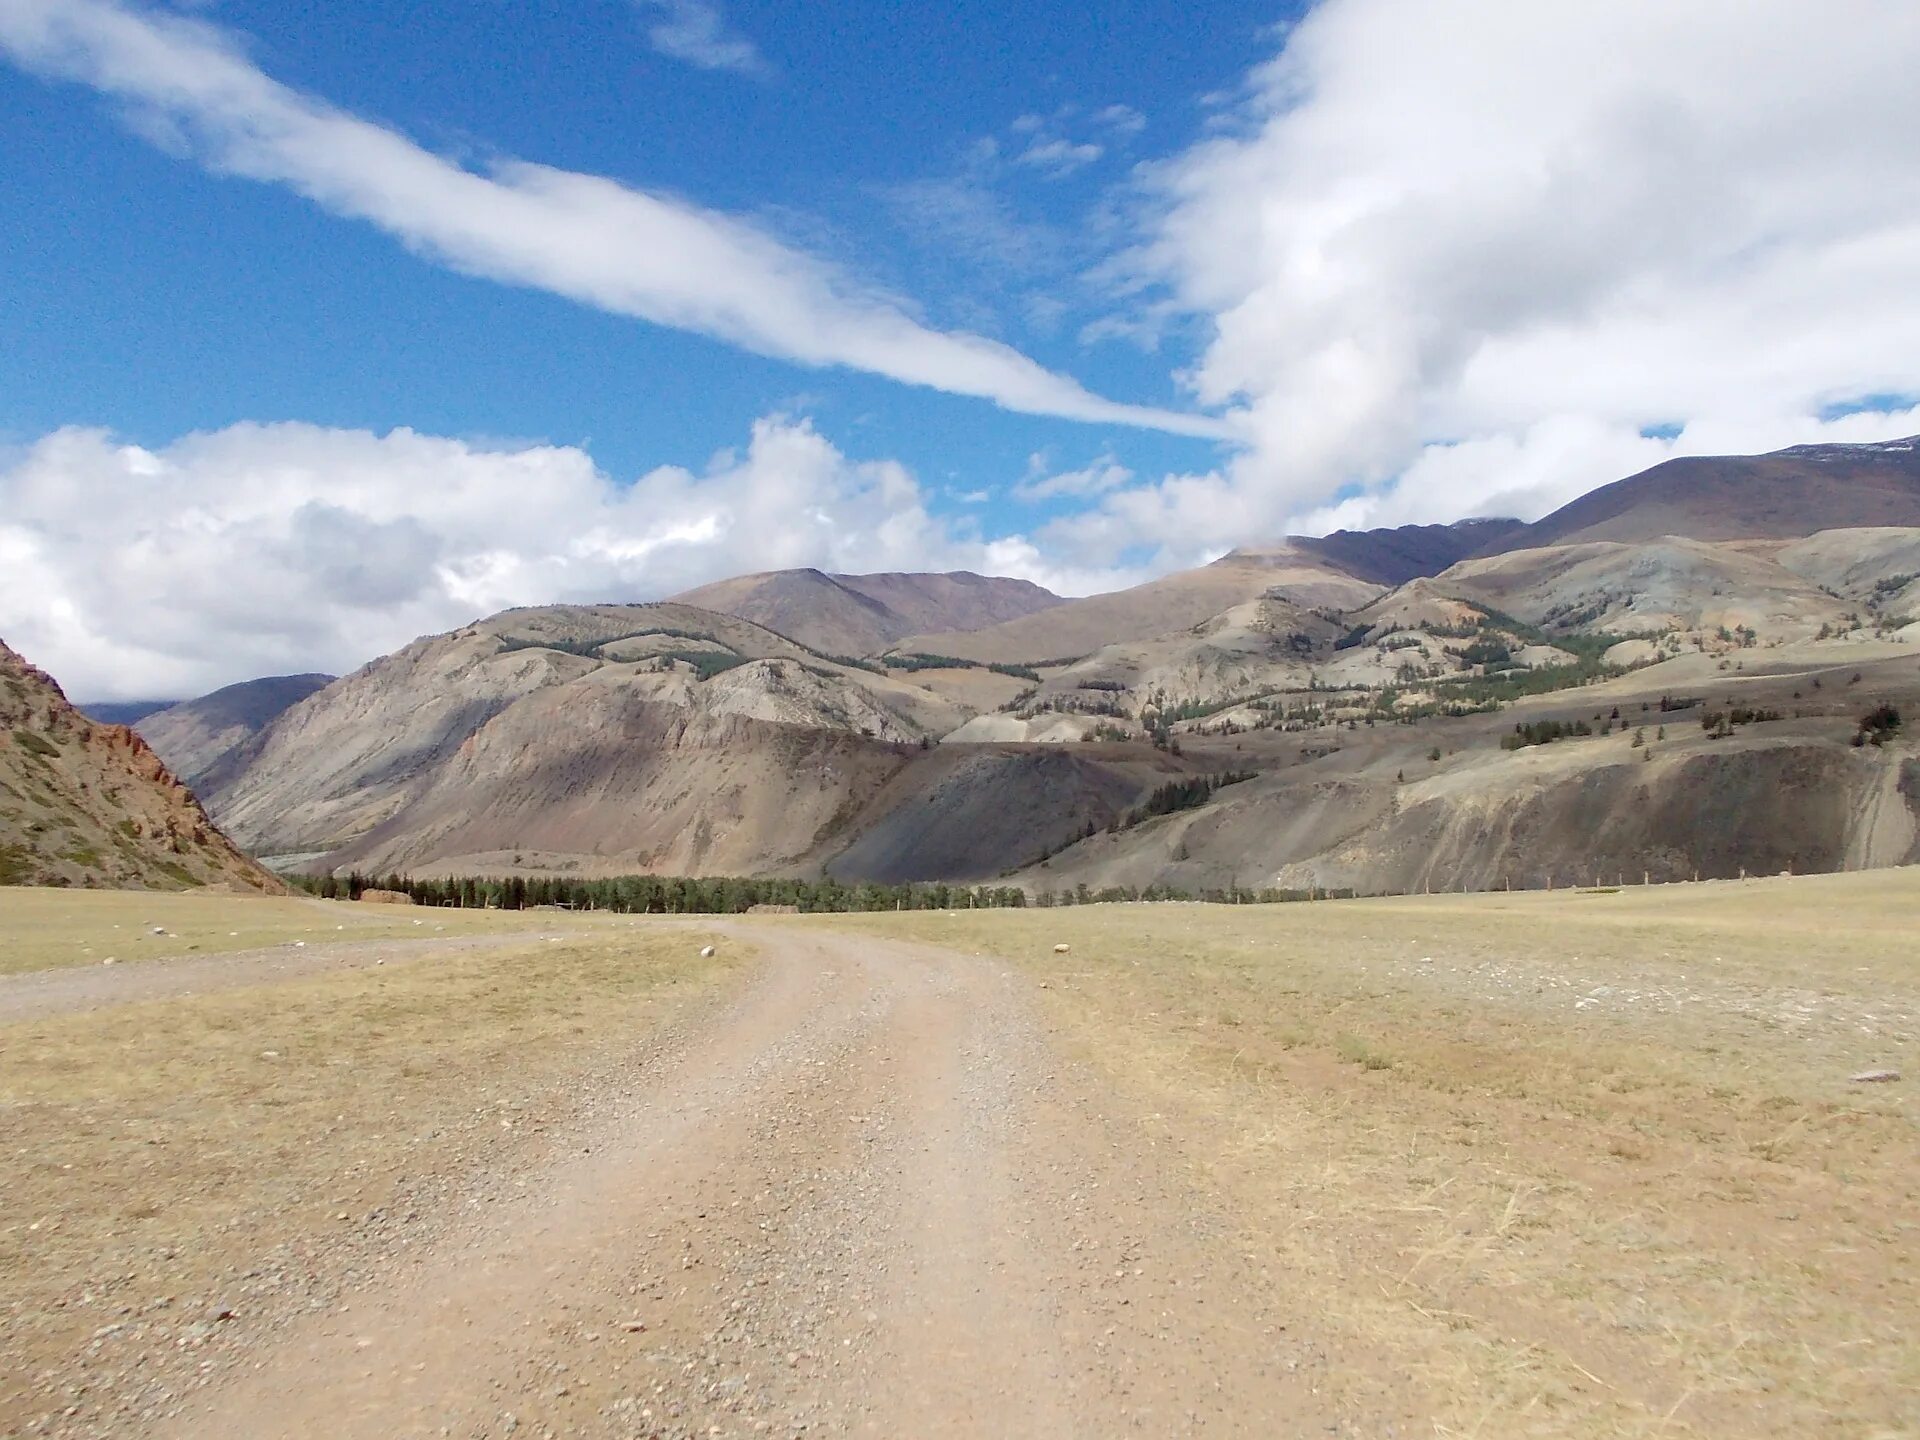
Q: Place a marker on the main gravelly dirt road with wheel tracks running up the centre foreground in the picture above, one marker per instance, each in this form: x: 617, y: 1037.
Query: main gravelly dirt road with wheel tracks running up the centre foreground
x: 867, y: 1199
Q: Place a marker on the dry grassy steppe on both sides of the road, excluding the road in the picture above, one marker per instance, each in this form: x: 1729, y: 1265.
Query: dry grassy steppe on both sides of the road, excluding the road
x: 1577, y: 1164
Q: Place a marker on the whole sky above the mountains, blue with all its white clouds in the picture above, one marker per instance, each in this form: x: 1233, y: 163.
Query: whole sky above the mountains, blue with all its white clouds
x: 333, y: 325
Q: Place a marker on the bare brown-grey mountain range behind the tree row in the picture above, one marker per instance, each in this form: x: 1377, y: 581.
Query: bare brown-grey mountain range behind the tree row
x: 1664, y: 679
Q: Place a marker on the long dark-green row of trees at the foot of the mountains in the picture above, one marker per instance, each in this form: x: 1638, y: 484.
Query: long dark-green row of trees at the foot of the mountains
x: 684, y: 896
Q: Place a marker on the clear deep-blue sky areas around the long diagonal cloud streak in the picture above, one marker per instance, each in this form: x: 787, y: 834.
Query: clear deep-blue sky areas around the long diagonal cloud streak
x: 156, y: 299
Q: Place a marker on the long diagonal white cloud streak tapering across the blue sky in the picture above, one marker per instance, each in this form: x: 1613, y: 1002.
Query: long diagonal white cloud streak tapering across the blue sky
x: 585, y: 237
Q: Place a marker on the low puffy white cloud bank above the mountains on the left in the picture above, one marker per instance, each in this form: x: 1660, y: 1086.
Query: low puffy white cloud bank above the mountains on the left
x: 277, y: 548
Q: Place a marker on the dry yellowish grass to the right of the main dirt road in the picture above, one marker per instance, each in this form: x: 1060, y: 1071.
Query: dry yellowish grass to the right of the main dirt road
x: 1548, y: 1164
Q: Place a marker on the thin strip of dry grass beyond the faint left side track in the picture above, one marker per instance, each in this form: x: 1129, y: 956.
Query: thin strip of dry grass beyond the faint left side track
x: 47, y: 928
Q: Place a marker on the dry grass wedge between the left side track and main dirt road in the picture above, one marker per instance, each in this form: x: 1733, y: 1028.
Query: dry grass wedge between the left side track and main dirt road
x: 172, y: 1159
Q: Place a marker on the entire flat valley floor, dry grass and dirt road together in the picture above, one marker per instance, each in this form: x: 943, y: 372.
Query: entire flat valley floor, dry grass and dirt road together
x: 1539, y: 1164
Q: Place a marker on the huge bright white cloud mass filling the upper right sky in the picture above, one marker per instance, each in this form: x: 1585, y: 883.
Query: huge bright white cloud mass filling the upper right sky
x: 1527, y: 233
